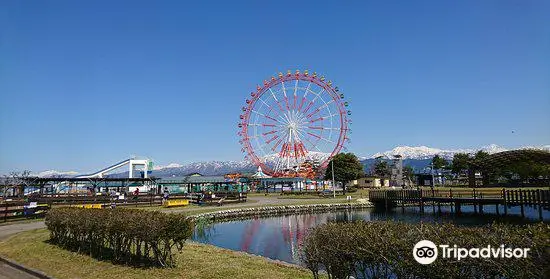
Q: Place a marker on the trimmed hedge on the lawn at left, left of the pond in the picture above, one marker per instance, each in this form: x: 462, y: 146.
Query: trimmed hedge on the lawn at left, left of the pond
x: 123, y: 235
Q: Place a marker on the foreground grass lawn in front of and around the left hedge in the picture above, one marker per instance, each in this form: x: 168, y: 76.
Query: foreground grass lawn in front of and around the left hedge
x: 197, y: 261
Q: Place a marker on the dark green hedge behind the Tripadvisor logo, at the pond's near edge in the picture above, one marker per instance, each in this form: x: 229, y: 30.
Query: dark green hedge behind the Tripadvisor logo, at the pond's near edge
x: 383, y: 249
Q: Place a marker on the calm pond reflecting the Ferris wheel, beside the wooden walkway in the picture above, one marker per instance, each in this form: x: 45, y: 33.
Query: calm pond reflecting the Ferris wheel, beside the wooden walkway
x: 279, y: 237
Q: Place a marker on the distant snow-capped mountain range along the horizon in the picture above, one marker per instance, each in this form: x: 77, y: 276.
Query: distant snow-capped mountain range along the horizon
x: 408, y: 153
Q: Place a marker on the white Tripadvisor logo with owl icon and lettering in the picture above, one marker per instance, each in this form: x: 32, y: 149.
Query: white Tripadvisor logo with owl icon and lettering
x: 426, y: 252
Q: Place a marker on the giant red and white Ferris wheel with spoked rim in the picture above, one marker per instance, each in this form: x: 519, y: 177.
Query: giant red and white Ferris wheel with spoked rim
x: 293, y: 119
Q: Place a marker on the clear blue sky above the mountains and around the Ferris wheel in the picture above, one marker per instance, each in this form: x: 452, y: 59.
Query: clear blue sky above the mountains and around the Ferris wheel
x: 88, y: 83
